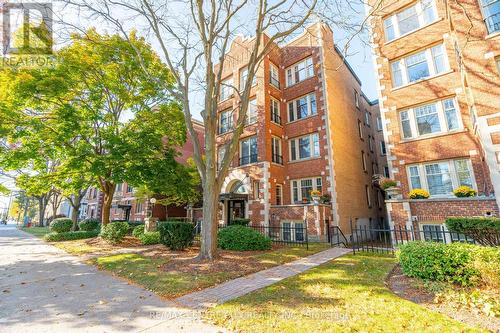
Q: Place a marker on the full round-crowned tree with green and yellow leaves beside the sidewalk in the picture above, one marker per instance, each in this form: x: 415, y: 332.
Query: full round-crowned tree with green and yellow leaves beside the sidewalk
x: 85, y: 101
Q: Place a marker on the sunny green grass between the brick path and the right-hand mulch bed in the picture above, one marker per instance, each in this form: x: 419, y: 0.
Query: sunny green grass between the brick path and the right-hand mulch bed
x: 345, y: 295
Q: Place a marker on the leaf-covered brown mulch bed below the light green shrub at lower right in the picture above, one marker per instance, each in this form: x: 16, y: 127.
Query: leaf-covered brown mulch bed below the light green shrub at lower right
x: 414, y: 290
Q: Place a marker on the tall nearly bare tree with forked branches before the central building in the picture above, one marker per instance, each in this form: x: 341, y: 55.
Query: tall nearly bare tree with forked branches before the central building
x: 194, y: 46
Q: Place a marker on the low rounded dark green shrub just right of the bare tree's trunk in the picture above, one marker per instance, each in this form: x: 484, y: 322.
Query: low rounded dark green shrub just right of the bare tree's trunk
x: 241, y: 238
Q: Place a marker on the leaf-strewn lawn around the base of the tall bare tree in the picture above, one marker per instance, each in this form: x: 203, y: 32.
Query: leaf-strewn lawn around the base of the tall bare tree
x: 172, y: 274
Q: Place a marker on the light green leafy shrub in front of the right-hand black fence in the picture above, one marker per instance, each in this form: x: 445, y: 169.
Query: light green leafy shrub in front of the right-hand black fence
x: 439, y: 262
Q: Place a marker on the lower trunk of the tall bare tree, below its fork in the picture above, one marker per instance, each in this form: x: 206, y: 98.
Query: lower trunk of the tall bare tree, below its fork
x: 208, y: 249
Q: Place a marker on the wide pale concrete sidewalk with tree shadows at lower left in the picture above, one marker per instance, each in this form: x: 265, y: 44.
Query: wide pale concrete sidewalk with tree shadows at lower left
x: 43, y: 289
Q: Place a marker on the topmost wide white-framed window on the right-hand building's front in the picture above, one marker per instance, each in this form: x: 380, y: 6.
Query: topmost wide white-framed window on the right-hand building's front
x: 422, y: 13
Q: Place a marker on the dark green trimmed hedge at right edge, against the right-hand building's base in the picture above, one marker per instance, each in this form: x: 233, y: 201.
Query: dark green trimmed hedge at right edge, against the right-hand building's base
x: 485, y: 231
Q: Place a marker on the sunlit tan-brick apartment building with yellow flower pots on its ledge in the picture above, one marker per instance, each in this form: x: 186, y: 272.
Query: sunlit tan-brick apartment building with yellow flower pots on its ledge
x: 439, y: 90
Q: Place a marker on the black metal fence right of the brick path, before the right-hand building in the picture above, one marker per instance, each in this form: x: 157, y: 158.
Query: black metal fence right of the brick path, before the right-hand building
x: 386, y: 240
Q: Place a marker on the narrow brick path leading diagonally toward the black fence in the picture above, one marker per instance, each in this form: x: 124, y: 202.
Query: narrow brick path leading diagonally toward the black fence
x: 235, y: 288
